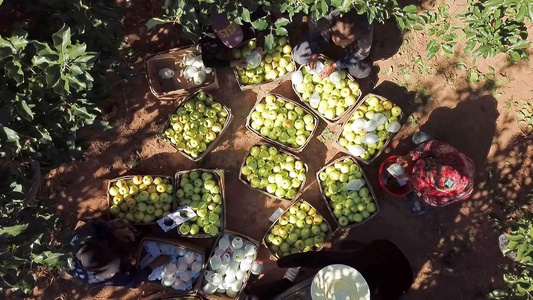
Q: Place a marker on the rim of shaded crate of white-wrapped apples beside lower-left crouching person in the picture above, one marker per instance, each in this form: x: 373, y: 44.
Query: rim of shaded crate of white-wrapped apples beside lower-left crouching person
x: 189, y: 247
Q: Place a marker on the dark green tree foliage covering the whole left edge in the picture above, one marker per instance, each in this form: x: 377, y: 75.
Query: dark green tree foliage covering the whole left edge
x: 50, y: 79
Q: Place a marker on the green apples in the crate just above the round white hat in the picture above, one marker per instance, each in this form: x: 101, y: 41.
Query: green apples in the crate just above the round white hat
x: 300, y: 229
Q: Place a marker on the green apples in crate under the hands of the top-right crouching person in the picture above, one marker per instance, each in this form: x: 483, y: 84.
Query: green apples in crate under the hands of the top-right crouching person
x: 334, y: 99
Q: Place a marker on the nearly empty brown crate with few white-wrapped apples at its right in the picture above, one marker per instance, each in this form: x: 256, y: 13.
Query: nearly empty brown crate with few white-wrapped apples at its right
x: 177, y: 86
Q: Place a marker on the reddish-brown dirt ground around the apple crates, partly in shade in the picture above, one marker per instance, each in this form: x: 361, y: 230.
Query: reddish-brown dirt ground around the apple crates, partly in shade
x: 453, y: 251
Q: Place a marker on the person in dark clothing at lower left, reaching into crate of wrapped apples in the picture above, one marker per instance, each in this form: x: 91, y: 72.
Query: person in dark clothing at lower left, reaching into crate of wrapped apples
x: 95, y: 261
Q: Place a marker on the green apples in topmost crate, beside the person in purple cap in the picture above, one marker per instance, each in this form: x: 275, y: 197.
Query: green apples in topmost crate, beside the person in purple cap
x: 275, y: 63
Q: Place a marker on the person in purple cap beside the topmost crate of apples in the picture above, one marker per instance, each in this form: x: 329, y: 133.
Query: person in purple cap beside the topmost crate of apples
x: 224, y: 35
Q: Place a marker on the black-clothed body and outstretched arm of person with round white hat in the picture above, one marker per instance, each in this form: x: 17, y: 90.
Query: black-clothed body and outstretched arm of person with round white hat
x: 384, y: 267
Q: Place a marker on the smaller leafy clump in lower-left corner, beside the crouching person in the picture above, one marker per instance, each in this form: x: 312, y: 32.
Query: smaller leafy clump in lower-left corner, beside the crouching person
x: 27, y: 236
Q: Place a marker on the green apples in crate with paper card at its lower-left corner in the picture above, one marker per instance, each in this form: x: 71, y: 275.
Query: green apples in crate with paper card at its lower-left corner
x: 201, y: 192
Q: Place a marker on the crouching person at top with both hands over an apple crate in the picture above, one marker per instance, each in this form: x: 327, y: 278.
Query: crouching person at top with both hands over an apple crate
x: 349, y: 31
